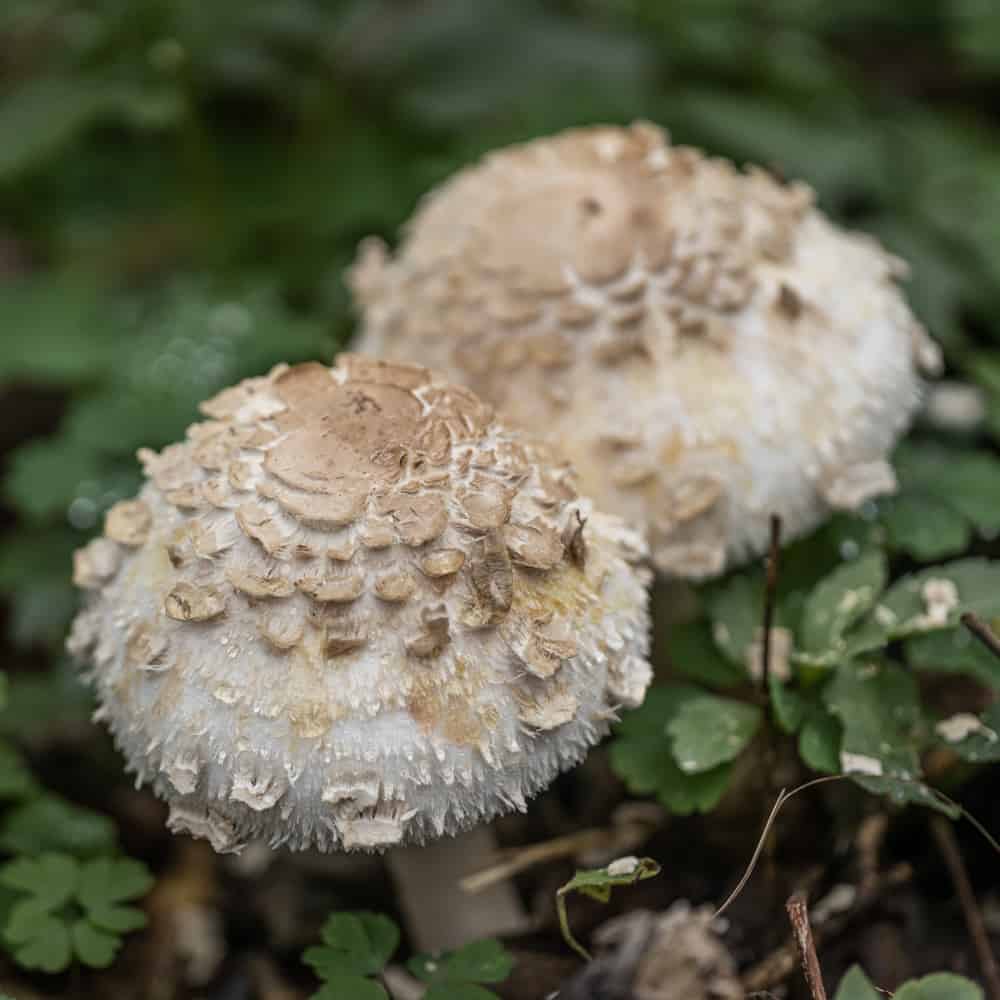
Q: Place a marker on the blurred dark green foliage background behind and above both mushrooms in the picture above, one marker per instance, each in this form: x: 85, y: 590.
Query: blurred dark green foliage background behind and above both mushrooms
x: 182, y: 184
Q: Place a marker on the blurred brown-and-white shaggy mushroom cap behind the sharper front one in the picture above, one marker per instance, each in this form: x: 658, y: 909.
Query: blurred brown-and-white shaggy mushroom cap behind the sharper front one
x: 703, y: 345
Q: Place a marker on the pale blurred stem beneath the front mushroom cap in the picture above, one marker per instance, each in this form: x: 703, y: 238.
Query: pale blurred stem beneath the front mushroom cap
x: 439, y: 914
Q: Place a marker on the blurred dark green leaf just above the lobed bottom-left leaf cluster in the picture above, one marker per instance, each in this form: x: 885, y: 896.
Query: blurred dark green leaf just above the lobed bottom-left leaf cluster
x: 49, y: 823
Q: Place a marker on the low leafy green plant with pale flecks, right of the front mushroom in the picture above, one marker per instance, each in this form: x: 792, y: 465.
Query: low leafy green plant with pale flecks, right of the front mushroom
x: 848, y: 645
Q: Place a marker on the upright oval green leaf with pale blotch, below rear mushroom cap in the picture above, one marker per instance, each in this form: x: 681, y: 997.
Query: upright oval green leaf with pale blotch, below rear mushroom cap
x: 839, y: 600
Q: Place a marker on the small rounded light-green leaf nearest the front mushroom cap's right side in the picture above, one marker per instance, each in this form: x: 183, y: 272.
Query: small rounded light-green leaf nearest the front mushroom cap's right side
x: 707, y: 730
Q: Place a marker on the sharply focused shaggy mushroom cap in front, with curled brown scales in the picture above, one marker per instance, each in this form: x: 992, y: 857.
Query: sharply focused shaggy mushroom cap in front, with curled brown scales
x: 352, y: 610
